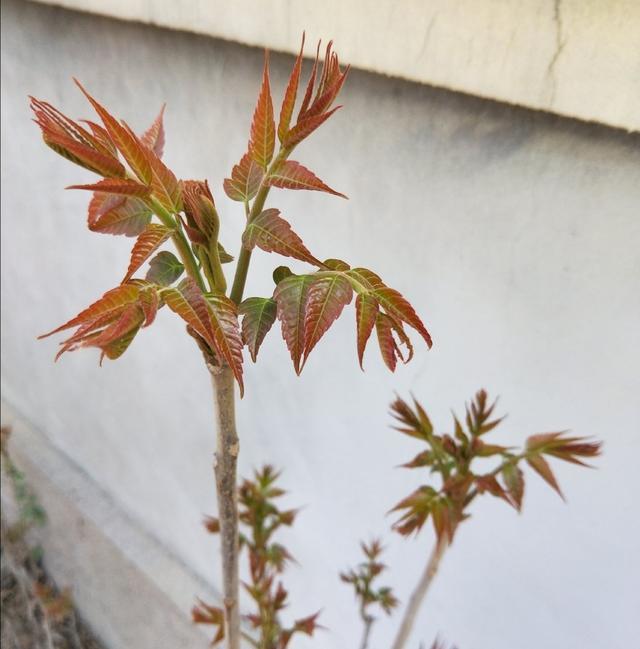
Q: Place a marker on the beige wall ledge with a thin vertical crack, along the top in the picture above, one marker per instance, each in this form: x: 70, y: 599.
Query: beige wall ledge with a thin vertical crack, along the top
x: 579, y: 58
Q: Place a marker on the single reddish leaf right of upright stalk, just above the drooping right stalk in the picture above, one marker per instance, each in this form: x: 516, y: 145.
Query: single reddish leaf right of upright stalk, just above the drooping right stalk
x: 272, y: 233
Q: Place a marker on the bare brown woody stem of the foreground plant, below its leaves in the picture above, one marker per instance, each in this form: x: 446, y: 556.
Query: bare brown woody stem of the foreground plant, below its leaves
x: 227, y: 448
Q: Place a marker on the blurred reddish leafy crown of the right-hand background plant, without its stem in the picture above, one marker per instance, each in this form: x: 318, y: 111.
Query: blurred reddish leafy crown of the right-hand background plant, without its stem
x: 451, y: 457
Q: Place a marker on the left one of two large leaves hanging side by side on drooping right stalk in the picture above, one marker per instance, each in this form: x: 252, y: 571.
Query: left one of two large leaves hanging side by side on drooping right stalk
x: 291, y: 298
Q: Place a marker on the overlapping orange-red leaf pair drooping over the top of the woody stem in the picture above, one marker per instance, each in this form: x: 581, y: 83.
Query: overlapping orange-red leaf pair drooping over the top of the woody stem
x: 213, y: 318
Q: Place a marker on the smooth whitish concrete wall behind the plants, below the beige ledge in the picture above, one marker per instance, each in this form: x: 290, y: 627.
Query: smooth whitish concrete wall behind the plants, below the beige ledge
x: 515, y: 234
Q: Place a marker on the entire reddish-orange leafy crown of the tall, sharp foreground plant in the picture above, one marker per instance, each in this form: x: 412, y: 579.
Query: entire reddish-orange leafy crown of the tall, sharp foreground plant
x: 139, y: 196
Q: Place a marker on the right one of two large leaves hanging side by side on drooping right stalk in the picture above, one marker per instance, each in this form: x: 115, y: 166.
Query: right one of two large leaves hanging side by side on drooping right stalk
x: 326, y: 298
